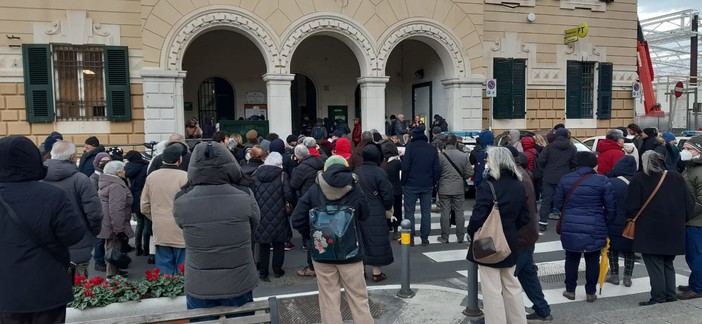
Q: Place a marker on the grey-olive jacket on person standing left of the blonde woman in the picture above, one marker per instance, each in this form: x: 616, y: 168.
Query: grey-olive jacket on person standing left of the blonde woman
x: 451, y: 181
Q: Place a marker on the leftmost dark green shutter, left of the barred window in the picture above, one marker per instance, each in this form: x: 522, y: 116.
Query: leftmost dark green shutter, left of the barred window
x: 38, y: 88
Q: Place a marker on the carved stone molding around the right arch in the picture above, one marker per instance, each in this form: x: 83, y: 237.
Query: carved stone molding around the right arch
x: 446, y: 45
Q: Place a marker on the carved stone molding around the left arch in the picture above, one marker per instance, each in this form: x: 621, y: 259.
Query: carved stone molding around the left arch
x: 179, y: 38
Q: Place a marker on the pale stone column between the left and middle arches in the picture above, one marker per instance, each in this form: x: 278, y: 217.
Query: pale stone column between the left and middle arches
x: 279, y: 103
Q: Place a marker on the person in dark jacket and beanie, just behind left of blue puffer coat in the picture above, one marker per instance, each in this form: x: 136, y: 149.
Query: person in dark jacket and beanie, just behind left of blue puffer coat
x: 556, y: 160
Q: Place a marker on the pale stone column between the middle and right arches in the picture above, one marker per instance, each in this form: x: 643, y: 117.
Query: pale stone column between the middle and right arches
x: 373, y: 102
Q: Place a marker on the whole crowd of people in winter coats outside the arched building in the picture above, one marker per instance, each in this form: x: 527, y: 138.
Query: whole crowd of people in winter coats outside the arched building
x: 270, y: 185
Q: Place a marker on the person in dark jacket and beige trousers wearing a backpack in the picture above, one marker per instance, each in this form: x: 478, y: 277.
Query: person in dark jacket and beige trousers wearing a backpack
x: 337, y: 185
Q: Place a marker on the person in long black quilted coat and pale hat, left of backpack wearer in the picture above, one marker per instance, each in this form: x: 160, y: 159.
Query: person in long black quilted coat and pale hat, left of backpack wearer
x: 272, y: 191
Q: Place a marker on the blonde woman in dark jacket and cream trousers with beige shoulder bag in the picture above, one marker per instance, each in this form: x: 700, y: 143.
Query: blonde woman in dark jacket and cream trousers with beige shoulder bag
x: 502, y: 293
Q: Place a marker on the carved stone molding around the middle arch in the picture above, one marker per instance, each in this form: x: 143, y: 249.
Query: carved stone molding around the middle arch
x: 352, y: 34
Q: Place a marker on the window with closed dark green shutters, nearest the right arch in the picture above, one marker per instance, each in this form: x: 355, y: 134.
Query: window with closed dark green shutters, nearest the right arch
x: 510, y: 102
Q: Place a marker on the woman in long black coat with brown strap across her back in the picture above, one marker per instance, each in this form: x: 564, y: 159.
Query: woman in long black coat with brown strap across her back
x: 660, y: 230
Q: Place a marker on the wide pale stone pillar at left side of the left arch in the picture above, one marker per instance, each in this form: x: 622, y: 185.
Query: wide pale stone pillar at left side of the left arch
x: 163, y: 103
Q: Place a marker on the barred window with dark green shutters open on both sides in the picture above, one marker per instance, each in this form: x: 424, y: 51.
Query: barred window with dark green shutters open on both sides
x: 76, y: 82
